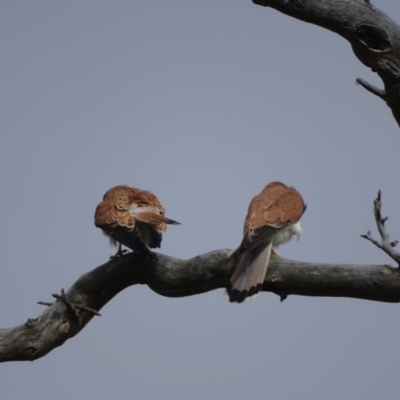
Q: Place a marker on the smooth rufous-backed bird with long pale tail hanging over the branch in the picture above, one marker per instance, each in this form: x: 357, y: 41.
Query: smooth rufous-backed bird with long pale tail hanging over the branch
x: 272, y: 219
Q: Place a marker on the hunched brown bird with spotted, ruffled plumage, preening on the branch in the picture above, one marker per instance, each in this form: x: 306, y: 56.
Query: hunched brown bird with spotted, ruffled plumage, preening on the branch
x: 133, y: 218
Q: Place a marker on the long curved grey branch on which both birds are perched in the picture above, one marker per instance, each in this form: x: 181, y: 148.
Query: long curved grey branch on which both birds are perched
x: 175, y: 278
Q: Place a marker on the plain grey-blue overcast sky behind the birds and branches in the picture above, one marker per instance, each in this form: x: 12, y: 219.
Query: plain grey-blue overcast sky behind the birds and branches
x: 203, y: 103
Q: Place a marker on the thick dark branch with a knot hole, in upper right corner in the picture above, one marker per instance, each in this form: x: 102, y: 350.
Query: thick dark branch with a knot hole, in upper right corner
x: 374, y: 37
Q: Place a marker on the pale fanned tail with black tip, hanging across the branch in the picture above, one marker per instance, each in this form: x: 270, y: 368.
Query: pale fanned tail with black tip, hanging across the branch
x: 249, y: 275
